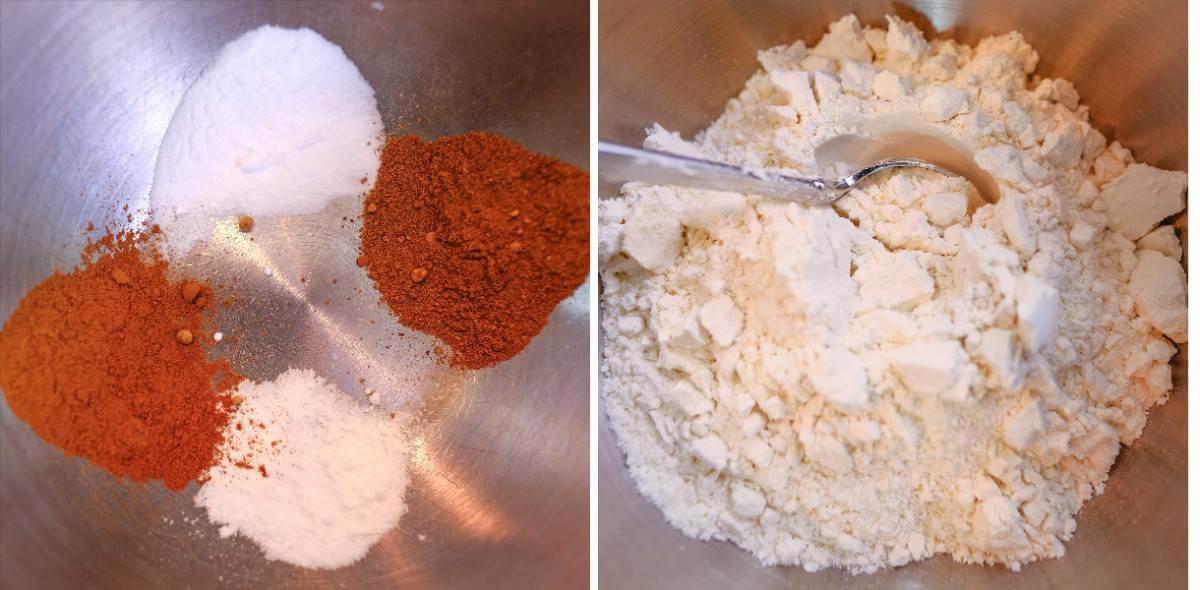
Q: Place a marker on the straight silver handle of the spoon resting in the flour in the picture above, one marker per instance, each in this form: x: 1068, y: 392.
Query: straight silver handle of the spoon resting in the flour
x: 626, y: 164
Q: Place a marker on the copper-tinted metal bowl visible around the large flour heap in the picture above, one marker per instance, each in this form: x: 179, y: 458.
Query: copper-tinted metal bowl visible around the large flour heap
x: 677, y: 63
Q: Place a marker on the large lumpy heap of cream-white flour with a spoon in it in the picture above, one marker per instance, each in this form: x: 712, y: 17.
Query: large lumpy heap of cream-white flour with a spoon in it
x: 896, y: 377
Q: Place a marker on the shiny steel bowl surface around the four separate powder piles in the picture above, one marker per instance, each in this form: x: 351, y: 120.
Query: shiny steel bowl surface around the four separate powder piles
x: 500, y: 493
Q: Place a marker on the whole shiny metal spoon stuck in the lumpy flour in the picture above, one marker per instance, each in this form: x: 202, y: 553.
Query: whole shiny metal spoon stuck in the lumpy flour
x: 626, y: 164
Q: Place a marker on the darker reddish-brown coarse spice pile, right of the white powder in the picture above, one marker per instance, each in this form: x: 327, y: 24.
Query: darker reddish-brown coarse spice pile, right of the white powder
x: 475, y: 240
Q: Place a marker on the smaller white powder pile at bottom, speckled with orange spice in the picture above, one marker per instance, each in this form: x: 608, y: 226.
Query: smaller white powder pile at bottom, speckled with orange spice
x: 335, y: 473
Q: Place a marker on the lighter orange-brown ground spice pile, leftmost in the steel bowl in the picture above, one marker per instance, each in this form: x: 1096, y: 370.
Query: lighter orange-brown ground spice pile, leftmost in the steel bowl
x: 92, y: 362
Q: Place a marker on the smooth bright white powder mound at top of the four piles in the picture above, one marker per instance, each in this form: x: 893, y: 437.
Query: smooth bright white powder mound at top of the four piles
x: 280, y: 123
